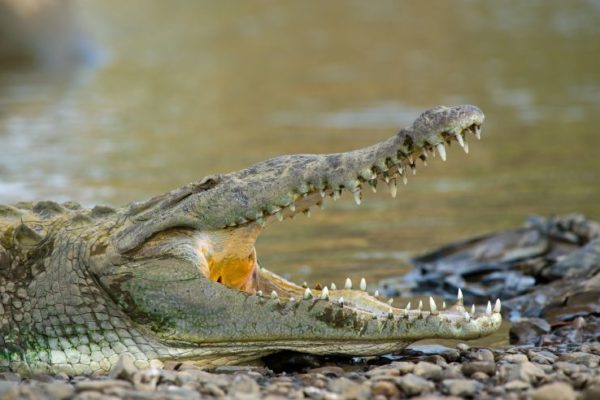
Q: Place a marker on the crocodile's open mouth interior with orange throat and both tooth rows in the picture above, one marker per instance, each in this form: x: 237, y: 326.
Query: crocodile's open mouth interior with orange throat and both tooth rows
x: 231, y: 257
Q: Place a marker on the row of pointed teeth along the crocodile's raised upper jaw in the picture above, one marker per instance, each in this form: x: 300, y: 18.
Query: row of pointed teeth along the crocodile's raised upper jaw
x: 390, y: 175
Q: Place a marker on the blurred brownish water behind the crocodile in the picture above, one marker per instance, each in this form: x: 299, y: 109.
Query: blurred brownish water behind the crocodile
x: 109, y: 101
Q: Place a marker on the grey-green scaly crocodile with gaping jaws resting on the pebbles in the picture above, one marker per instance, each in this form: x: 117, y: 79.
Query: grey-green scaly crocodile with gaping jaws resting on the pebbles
x: 176, y: 277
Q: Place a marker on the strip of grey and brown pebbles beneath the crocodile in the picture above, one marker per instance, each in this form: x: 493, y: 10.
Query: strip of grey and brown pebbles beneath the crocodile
x: 552, y: 372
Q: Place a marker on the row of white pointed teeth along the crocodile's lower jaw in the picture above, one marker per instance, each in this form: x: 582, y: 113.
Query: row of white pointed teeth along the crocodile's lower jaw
x: 433, y: 308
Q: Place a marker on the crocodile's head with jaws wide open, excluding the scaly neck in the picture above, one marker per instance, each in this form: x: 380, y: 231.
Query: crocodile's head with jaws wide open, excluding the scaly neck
x: 185, y: 265
